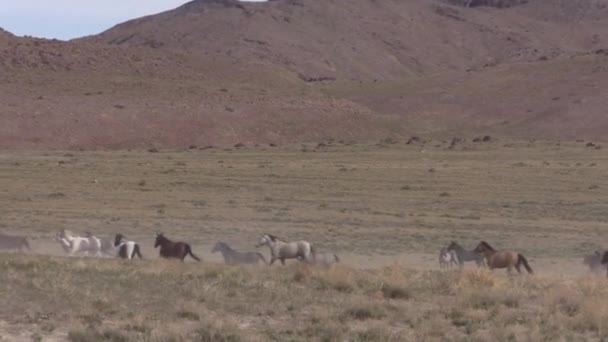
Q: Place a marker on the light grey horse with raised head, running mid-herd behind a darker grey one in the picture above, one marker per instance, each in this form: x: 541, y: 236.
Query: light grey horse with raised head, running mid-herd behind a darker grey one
x: 279, y: 249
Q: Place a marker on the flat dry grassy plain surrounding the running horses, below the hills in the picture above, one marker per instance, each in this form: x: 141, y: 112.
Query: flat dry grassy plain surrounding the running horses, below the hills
x: 385, y: 208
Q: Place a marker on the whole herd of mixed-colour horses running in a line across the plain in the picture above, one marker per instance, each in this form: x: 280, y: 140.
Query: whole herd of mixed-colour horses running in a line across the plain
x: 484, y: 255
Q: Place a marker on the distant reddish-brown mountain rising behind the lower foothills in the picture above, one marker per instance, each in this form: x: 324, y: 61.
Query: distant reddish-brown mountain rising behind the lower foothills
x: 363, y: 39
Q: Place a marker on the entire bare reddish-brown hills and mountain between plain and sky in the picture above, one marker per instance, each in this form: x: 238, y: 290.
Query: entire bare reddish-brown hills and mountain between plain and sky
x: 222, y: 72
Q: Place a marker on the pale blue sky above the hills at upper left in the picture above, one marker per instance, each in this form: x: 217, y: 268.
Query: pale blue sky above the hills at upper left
x: 67, y: 19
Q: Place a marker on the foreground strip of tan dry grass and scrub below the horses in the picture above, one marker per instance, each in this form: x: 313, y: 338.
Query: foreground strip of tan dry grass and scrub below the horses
x: 107, y: 300
